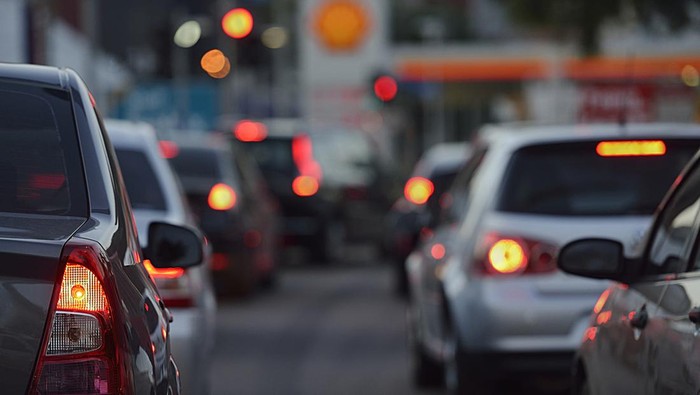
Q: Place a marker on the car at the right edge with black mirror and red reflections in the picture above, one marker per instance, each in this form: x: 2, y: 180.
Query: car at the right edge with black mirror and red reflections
x: 642, y: 336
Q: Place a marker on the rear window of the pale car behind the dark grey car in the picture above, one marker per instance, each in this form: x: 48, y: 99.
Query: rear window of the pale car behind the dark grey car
x: 142, y: 184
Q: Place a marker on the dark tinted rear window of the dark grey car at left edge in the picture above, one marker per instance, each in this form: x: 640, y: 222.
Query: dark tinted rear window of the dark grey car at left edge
x: 40, y: 165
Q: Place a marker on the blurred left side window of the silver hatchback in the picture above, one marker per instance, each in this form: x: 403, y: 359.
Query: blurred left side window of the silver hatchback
x: 456, y: 200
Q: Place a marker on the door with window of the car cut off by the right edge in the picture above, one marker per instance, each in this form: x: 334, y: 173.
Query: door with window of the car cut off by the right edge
x: 674, y: 349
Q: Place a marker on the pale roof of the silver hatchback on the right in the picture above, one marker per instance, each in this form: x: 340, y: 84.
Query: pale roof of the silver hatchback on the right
x: 519, y: 134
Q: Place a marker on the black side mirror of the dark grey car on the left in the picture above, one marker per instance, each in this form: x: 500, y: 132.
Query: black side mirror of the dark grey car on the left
x: 174, y: 246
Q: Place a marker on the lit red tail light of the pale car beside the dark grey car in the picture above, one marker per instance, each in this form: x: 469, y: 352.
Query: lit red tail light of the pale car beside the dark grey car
x: 174, y: 285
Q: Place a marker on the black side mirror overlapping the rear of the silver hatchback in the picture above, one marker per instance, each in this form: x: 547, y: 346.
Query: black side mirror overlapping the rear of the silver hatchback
x: 594, y: 258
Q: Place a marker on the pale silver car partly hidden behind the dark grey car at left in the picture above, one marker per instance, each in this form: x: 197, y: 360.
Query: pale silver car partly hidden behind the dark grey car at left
x: 156, y: 195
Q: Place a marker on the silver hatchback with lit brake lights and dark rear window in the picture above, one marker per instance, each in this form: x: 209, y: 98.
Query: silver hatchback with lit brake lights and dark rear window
x: 487, y: 302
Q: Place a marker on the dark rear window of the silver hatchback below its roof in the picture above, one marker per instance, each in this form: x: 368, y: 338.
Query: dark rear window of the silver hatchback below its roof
x: 572, y: 179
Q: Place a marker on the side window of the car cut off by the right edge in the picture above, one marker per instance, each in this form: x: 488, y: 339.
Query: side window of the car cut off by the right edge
x: 677, y: 228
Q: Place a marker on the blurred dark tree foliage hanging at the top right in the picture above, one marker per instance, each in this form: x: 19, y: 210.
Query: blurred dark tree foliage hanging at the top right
x: 584, y: 18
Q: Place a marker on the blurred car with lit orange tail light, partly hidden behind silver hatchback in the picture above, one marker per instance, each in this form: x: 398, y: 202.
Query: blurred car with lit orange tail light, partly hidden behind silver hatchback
x: 419, y: 206
